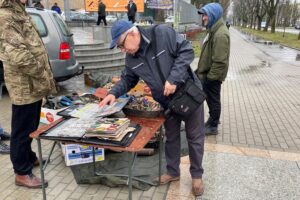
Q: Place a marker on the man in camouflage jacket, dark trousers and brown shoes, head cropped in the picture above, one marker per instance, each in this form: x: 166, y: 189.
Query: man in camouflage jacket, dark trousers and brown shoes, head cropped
x: 28, y: 79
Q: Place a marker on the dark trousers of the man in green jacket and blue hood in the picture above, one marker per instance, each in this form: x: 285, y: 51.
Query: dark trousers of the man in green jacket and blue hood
x: 213, y: 92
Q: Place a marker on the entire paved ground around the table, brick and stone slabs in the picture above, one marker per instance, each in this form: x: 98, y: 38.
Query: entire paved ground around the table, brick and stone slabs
x: 261, y: 113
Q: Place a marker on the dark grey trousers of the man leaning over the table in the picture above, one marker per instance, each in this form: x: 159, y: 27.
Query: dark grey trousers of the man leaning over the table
x: 194, y: 127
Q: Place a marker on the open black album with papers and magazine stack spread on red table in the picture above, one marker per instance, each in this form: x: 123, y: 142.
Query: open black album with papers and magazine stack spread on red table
x: 89, y: 123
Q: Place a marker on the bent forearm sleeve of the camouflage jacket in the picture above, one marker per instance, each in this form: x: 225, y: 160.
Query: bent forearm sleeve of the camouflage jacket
x: 17, y: 54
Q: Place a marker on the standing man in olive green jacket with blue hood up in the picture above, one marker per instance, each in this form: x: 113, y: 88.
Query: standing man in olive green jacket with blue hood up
x: 214, y: 61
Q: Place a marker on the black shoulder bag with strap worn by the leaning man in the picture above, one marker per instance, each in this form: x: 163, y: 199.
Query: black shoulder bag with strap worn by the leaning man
x: 187, y: 98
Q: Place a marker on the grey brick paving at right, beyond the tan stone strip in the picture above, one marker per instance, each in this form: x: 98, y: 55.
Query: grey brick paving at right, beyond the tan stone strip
x: 260, y: 100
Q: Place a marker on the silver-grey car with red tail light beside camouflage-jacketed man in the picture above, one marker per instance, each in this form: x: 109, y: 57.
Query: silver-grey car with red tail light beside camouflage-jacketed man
x: 58, y: 41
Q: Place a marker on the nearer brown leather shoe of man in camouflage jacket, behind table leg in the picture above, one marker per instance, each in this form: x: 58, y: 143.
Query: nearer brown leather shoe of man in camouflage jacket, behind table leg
x: 30, y: 181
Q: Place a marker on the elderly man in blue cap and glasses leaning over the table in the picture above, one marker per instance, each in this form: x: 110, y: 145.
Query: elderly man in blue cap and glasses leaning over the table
x: 175, y: 55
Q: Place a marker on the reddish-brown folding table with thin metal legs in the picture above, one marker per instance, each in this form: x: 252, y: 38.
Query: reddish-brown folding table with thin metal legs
x: 149, y: 126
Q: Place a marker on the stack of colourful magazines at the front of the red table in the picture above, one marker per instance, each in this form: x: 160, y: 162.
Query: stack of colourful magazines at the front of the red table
x: 109, y: 128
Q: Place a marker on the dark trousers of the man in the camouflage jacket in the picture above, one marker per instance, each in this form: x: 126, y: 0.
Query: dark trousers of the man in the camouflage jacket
x: 25, y: 119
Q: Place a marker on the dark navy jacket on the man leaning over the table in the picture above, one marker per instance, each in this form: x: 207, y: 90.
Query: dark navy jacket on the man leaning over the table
x: 174, y: 54
